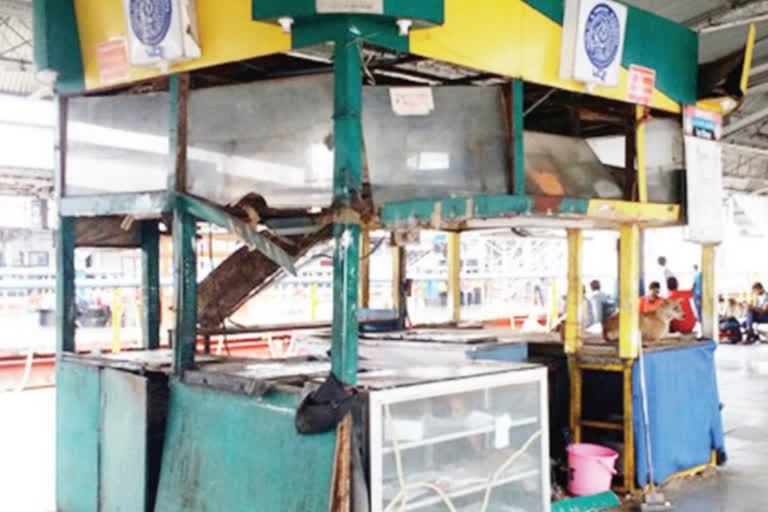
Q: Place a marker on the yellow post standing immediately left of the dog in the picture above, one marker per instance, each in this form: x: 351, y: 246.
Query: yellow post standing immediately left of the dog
x: 629, y: 274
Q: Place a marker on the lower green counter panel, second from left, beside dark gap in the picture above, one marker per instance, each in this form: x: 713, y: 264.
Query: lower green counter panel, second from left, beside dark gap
x: 123, y: 454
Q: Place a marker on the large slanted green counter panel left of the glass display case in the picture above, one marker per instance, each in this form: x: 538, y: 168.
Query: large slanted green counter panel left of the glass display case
x: 228, y: 452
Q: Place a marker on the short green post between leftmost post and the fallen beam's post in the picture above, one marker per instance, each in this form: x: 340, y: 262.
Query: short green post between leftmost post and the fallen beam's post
x: 150, y: 284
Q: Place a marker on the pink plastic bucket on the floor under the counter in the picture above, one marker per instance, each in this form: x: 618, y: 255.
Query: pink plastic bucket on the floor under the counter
x: 590, y: 469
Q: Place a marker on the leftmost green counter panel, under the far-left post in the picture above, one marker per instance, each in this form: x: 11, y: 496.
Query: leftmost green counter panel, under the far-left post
x: 77, y: 437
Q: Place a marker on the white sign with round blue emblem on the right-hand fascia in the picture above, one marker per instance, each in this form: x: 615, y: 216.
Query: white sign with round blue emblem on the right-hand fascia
x: 593, y: 41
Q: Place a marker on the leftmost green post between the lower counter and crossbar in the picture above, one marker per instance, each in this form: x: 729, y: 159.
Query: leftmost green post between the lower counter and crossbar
x: 65, y: 286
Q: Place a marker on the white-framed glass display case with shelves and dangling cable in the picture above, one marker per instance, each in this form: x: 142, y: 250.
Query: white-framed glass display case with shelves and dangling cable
x: 468, y: 437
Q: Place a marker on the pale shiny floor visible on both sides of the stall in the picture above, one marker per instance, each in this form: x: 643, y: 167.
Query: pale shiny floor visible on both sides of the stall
x: 27, y: 423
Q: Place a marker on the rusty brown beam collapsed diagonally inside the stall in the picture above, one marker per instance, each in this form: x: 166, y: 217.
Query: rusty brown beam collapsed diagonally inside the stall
x: 244, y: 274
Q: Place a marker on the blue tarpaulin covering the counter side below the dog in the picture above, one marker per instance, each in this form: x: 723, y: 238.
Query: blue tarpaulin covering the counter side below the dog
x: 684, y: 407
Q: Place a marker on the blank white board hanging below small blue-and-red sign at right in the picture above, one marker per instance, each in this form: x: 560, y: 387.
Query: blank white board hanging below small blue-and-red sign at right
x: 704, y: 173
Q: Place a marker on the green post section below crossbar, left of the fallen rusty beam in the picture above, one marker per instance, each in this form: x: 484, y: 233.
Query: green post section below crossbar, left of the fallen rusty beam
x: 185, y: 290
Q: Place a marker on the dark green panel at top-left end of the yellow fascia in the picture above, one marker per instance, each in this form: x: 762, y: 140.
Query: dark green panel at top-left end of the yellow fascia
x: 57, y: 43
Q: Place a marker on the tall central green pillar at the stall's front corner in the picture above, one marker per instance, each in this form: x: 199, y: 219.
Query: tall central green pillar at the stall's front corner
x: 347, y: 186
